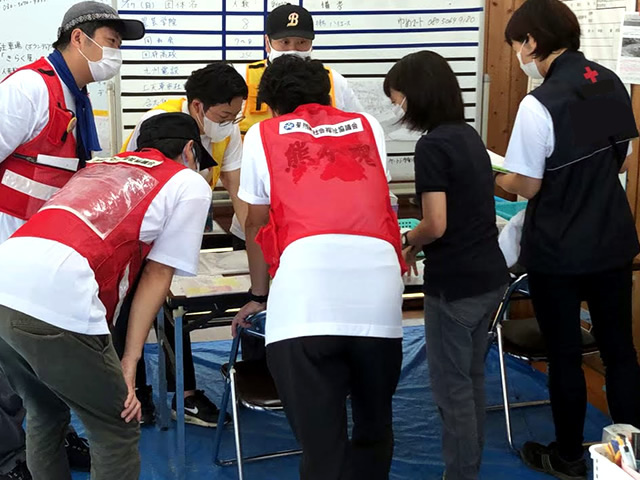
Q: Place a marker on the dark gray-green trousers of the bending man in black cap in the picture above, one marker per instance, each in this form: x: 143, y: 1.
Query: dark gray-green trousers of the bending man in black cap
x: 54, y: 370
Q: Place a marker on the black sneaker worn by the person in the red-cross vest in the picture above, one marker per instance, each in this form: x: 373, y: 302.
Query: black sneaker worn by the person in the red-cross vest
x: 547, y: 459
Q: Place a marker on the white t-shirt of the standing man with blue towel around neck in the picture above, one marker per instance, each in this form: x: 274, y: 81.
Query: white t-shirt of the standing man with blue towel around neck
x: 24, y: 112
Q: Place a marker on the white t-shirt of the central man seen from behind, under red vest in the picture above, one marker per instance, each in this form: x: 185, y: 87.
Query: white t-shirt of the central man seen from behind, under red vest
x: 327, y: 284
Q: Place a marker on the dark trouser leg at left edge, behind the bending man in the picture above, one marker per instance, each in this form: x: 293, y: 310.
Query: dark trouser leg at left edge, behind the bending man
x: 12, y: 449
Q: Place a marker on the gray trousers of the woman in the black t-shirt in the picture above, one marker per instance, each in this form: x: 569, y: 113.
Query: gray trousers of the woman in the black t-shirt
x: 456, y: 339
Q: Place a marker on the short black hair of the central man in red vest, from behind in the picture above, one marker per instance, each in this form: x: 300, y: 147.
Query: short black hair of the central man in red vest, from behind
x: 290, y: 81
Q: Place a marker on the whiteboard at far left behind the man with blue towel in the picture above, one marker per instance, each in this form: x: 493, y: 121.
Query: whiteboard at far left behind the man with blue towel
x: 29, y: 27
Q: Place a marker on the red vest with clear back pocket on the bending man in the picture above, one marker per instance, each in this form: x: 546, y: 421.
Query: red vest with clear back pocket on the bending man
x: 99, y: 214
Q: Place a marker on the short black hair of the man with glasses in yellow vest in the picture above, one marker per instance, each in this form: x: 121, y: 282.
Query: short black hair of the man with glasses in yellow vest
x: 214, y: 84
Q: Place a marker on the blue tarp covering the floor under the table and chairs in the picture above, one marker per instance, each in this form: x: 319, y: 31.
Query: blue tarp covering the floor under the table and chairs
x: 416, y: 424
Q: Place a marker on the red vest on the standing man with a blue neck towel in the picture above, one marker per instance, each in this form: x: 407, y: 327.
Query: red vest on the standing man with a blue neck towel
x: 36, y: 169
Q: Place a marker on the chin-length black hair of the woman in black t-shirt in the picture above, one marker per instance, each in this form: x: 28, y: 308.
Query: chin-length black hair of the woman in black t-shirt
x: 431, y: 89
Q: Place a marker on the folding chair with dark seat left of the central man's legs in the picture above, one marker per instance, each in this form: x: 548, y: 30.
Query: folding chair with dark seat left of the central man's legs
x: 250, y: 384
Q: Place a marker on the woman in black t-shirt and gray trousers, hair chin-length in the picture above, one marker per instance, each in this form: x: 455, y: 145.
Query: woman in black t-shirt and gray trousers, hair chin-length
x: 465, y: 272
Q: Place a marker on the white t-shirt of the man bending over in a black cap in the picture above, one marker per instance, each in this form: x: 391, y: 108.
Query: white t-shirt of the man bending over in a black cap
x: 54, y: 283
